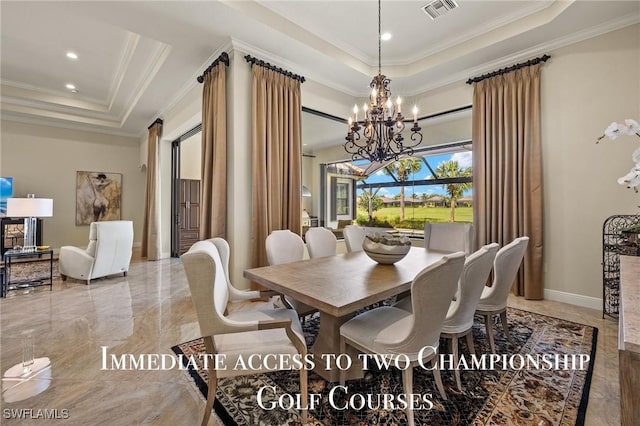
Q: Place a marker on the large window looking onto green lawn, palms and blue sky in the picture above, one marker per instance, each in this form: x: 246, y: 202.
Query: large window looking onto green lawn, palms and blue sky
x: 434, y: 185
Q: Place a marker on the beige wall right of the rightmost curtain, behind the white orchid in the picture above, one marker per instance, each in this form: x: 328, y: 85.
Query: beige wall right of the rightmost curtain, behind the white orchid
x: 585, y: 87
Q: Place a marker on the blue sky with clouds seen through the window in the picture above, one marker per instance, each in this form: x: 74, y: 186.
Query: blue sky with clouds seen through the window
x: 463, y: 159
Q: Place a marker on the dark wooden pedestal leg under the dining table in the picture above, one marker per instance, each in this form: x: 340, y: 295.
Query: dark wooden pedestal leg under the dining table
x: 328, y: 342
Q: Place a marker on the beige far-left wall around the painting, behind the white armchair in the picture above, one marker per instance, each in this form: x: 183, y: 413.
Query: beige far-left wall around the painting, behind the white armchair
x: 44, y: 160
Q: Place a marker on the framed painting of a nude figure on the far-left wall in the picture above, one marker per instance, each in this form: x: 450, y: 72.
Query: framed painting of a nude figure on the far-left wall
x: 98, y: 197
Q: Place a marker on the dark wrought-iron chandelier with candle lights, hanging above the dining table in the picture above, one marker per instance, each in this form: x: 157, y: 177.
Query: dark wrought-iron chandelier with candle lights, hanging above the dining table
x: 383, y: 122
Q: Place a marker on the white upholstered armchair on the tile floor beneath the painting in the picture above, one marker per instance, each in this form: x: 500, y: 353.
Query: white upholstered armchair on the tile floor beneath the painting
x: 109, y: 252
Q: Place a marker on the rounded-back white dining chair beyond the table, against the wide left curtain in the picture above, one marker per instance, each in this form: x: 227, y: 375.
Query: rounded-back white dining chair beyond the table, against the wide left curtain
x: 284, y: 246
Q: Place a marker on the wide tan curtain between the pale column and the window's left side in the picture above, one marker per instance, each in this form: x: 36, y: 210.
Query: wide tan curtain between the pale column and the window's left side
x: 277, y: 158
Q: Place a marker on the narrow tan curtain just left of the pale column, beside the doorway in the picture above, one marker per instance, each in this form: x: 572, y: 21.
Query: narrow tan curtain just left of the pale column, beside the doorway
x: 213, y: 213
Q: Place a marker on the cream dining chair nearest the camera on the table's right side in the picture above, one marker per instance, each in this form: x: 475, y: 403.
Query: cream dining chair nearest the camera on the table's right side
x: 390, y: 330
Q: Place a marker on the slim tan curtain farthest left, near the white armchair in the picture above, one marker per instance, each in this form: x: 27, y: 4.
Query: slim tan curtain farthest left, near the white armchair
x: 151, y: 242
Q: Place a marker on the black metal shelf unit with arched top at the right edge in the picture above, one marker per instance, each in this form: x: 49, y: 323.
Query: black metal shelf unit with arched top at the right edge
x: 619, y: 237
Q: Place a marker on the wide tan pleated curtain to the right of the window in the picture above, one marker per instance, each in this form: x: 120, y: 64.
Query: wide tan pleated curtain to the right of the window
x: 507, y: 168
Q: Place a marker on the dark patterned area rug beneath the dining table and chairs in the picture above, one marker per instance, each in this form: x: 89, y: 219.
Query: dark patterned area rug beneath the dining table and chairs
x: 490, y: 397
